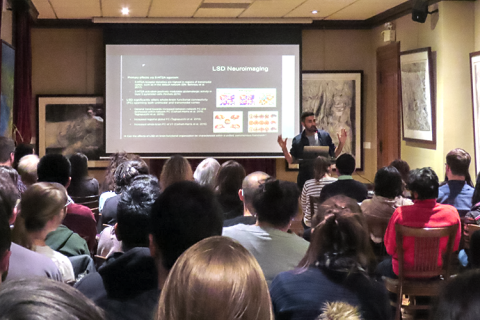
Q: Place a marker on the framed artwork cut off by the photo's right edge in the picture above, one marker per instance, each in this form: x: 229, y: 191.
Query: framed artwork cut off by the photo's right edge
x: 475, y: 79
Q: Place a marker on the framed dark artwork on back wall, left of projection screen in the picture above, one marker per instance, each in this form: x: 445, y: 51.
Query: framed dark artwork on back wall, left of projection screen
x: 70, y: 124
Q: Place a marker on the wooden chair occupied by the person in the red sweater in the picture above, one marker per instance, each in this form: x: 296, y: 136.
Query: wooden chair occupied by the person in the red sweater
x: 418, y: 280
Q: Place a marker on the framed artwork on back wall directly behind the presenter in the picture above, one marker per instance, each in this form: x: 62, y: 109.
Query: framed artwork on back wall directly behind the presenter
x: 335, y: 97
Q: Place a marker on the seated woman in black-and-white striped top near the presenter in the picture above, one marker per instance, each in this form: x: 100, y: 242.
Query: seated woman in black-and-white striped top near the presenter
x: 322, y: 169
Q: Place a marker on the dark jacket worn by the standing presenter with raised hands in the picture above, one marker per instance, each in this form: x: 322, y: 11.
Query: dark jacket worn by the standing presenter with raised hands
x: 306, y: 168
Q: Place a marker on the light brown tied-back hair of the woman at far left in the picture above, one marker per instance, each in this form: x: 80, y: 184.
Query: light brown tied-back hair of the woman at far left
x: 40, y: 203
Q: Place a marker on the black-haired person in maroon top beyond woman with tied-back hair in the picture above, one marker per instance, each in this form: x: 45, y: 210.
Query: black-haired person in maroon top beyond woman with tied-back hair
x: 79, y: 218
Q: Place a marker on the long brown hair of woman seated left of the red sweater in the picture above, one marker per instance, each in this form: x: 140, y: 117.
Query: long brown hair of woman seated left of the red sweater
x: 343, y: 233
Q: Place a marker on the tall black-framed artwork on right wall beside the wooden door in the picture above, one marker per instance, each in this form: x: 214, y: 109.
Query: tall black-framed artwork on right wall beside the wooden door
x: 418, y: 107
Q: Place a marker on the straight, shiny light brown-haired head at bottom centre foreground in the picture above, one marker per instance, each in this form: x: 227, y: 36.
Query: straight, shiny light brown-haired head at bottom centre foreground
x: 215, y: 279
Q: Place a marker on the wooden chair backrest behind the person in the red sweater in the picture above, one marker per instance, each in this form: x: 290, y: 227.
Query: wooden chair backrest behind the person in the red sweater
x: 426, y: 251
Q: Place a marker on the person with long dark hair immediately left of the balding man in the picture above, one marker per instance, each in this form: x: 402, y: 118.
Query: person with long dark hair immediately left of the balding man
x: 227, y: 183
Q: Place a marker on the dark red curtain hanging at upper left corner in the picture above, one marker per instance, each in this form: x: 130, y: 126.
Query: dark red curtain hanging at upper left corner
x: 23, y: 73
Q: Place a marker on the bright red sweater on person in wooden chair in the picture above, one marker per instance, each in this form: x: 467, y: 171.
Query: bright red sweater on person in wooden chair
x: 423, y: 214
